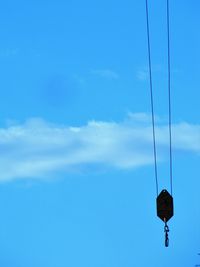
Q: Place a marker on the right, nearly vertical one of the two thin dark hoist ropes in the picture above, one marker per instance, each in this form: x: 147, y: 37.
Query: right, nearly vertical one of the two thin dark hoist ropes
x: 169, y: 98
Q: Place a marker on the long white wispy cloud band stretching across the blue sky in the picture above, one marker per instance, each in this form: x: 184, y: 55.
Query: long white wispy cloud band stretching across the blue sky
x: 37, y: 148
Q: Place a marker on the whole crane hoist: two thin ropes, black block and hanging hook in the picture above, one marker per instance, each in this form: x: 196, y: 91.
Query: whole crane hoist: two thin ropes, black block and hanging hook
x: 164, y: 199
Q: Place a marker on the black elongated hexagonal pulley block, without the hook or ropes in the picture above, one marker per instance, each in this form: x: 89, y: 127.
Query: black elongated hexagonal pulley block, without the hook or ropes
x: 165, y: 209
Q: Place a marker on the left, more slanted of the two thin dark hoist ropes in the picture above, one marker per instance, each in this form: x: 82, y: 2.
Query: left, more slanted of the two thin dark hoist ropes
x: 152, y: 102
